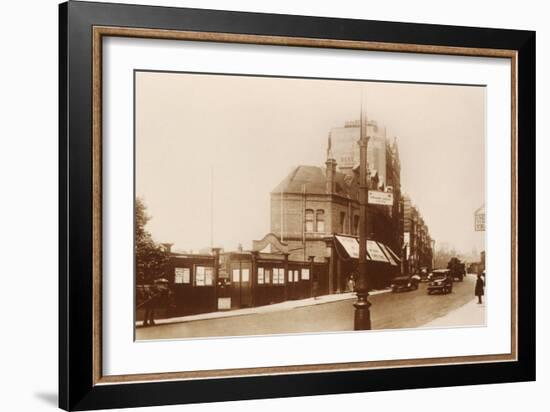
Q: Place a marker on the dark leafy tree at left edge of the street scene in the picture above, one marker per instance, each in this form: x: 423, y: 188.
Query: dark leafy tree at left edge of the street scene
x: 151, y: 258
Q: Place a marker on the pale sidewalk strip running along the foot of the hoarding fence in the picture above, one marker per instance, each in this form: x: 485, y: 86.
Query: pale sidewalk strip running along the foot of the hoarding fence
x: 275, y: 307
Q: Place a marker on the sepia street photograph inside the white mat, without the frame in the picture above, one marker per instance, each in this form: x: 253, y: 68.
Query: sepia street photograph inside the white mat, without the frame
x: 274, y: 205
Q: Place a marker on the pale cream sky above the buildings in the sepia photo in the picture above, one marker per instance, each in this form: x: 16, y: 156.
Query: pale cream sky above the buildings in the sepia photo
x: 237, y: 137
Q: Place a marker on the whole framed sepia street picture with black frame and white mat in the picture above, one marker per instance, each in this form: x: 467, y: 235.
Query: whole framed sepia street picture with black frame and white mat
x: 256, y: 205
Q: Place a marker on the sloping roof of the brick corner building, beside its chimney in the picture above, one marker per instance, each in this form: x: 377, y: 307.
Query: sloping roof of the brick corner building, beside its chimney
x: 315, y: 181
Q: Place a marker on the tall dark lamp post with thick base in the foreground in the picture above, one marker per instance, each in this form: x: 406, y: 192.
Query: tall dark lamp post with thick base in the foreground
x: 362, y: 305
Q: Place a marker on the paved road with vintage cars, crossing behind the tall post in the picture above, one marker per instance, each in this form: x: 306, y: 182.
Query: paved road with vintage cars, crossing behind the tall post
x: 388, y: 311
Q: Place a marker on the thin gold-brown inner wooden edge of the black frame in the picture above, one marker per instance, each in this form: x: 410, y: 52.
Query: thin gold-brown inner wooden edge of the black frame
x: 98, y: 32
